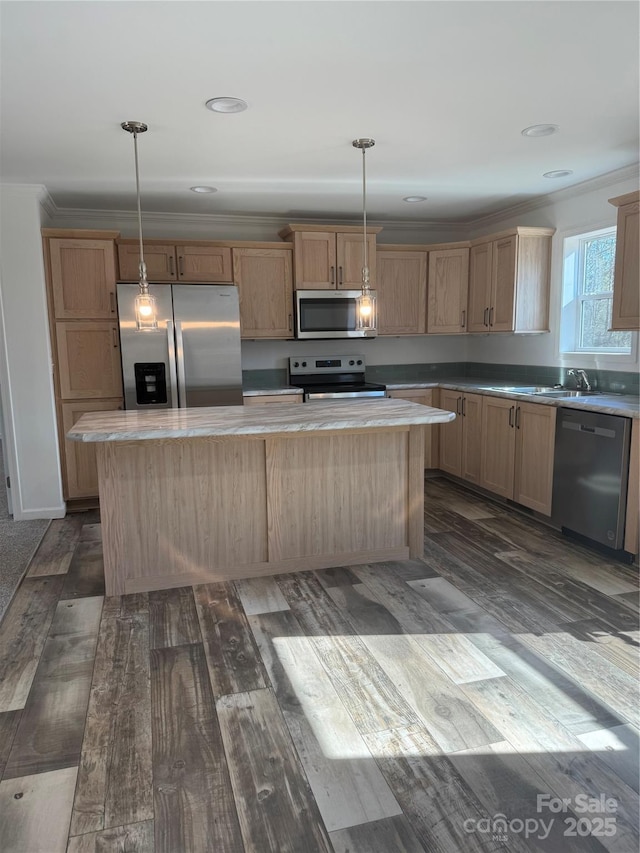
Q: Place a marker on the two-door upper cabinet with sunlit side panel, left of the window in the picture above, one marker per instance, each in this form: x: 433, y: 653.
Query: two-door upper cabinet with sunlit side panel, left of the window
x: 509, y: 277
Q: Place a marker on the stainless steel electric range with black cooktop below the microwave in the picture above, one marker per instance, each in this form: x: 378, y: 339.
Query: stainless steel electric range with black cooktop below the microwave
x: 333, y: 378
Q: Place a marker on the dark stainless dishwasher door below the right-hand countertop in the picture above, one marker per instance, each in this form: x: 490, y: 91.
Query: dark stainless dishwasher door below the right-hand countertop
x: 590, y: 473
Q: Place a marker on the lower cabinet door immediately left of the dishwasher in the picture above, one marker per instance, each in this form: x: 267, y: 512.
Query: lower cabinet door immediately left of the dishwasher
x: 535, y: 441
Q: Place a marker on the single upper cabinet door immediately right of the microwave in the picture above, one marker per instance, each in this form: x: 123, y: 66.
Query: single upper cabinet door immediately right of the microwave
x: 402, y: 292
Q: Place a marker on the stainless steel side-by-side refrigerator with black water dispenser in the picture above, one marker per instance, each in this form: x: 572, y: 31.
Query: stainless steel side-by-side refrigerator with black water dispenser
x: 193, y: 359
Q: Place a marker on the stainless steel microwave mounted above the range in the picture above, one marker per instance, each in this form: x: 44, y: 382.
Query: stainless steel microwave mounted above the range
x: 328, y: 314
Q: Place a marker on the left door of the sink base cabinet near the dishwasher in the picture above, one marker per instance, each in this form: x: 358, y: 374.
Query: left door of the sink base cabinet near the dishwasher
x: 498, y: 445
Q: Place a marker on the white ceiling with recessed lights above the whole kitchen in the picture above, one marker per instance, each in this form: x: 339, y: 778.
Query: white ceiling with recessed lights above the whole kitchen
x: 444, y: 88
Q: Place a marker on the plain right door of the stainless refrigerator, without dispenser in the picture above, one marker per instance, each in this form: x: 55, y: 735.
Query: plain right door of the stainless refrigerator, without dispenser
x: 207, y: 331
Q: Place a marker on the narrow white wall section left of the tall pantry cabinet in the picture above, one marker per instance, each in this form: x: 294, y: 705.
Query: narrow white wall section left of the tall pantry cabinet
x: 30, y: 432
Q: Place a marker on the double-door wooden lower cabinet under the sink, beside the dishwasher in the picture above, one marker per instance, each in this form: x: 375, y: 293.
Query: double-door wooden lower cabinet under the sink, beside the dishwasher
x: 517, y: 451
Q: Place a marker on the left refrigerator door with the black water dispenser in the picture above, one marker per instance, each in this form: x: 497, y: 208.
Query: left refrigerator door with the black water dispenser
x: 148, y: 358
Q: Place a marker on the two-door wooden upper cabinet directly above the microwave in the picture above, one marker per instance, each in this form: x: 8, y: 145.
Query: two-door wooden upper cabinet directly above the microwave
x: 330, y: 257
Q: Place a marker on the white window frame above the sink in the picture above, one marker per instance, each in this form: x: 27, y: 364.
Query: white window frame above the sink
x: 572, y: 299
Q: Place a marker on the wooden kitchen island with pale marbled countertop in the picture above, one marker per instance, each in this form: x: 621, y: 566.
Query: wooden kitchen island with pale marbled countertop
x: 190, y: 496
